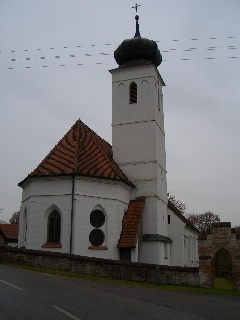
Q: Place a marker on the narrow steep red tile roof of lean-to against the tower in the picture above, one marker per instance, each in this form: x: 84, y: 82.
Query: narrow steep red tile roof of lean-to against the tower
x: 130, y: 224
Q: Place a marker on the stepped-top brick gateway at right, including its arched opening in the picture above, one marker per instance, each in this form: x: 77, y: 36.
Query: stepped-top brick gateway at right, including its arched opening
x: 219, y: 254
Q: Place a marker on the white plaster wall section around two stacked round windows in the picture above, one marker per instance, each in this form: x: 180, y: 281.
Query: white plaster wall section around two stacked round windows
x: 113, y: 199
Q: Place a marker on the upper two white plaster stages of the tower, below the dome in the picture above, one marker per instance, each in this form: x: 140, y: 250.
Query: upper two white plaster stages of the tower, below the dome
x: 138, y: 124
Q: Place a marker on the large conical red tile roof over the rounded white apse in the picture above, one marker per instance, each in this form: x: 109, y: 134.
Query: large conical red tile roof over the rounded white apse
x: 81, y: 151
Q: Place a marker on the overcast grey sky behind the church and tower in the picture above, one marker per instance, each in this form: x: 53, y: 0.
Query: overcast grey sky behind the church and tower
x: 75, y: 41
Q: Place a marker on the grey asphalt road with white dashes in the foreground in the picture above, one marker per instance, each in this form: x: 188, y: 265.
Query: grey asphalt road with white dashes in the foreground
x: 33, y: 296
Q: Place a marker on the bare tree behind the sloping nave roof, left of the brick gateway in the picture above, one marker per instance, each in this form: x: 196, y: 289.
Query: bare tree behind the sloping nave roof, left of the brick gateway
x: 203, y: 221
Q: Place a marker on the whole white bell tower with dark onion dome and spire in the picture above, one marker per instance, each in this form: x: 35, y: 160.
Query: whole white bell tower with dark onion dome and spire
x: 138, y: 137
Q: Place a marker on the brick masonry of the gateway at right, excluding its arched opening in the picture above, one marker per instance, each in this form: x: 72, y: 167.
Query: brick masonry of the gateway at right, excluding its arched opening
x: 221, y: 236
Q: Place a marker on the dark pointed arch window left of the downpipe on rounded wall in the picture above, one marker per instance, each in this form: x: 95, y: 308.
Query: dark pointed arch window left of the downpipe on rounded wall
x: 54, y: 227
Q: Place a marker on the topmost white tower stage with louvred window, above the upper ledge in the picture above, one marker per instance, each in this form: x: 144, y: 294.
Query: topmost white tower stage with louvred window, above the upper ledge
x: 149, y: 84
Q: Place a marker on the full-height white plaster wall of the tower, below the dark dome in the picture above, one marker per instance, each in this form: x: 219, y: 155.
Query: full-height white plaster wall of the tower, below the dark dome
x: 139, y: 148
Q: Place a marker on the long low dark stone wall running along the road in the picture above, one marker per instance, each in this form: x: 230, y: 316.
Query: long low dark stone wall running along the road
x: 132, y: 271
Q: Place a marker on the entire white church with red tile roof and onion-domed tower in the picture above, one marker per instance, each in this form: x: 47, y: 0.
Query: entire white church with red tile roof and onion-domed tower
x: 92, y: 199
